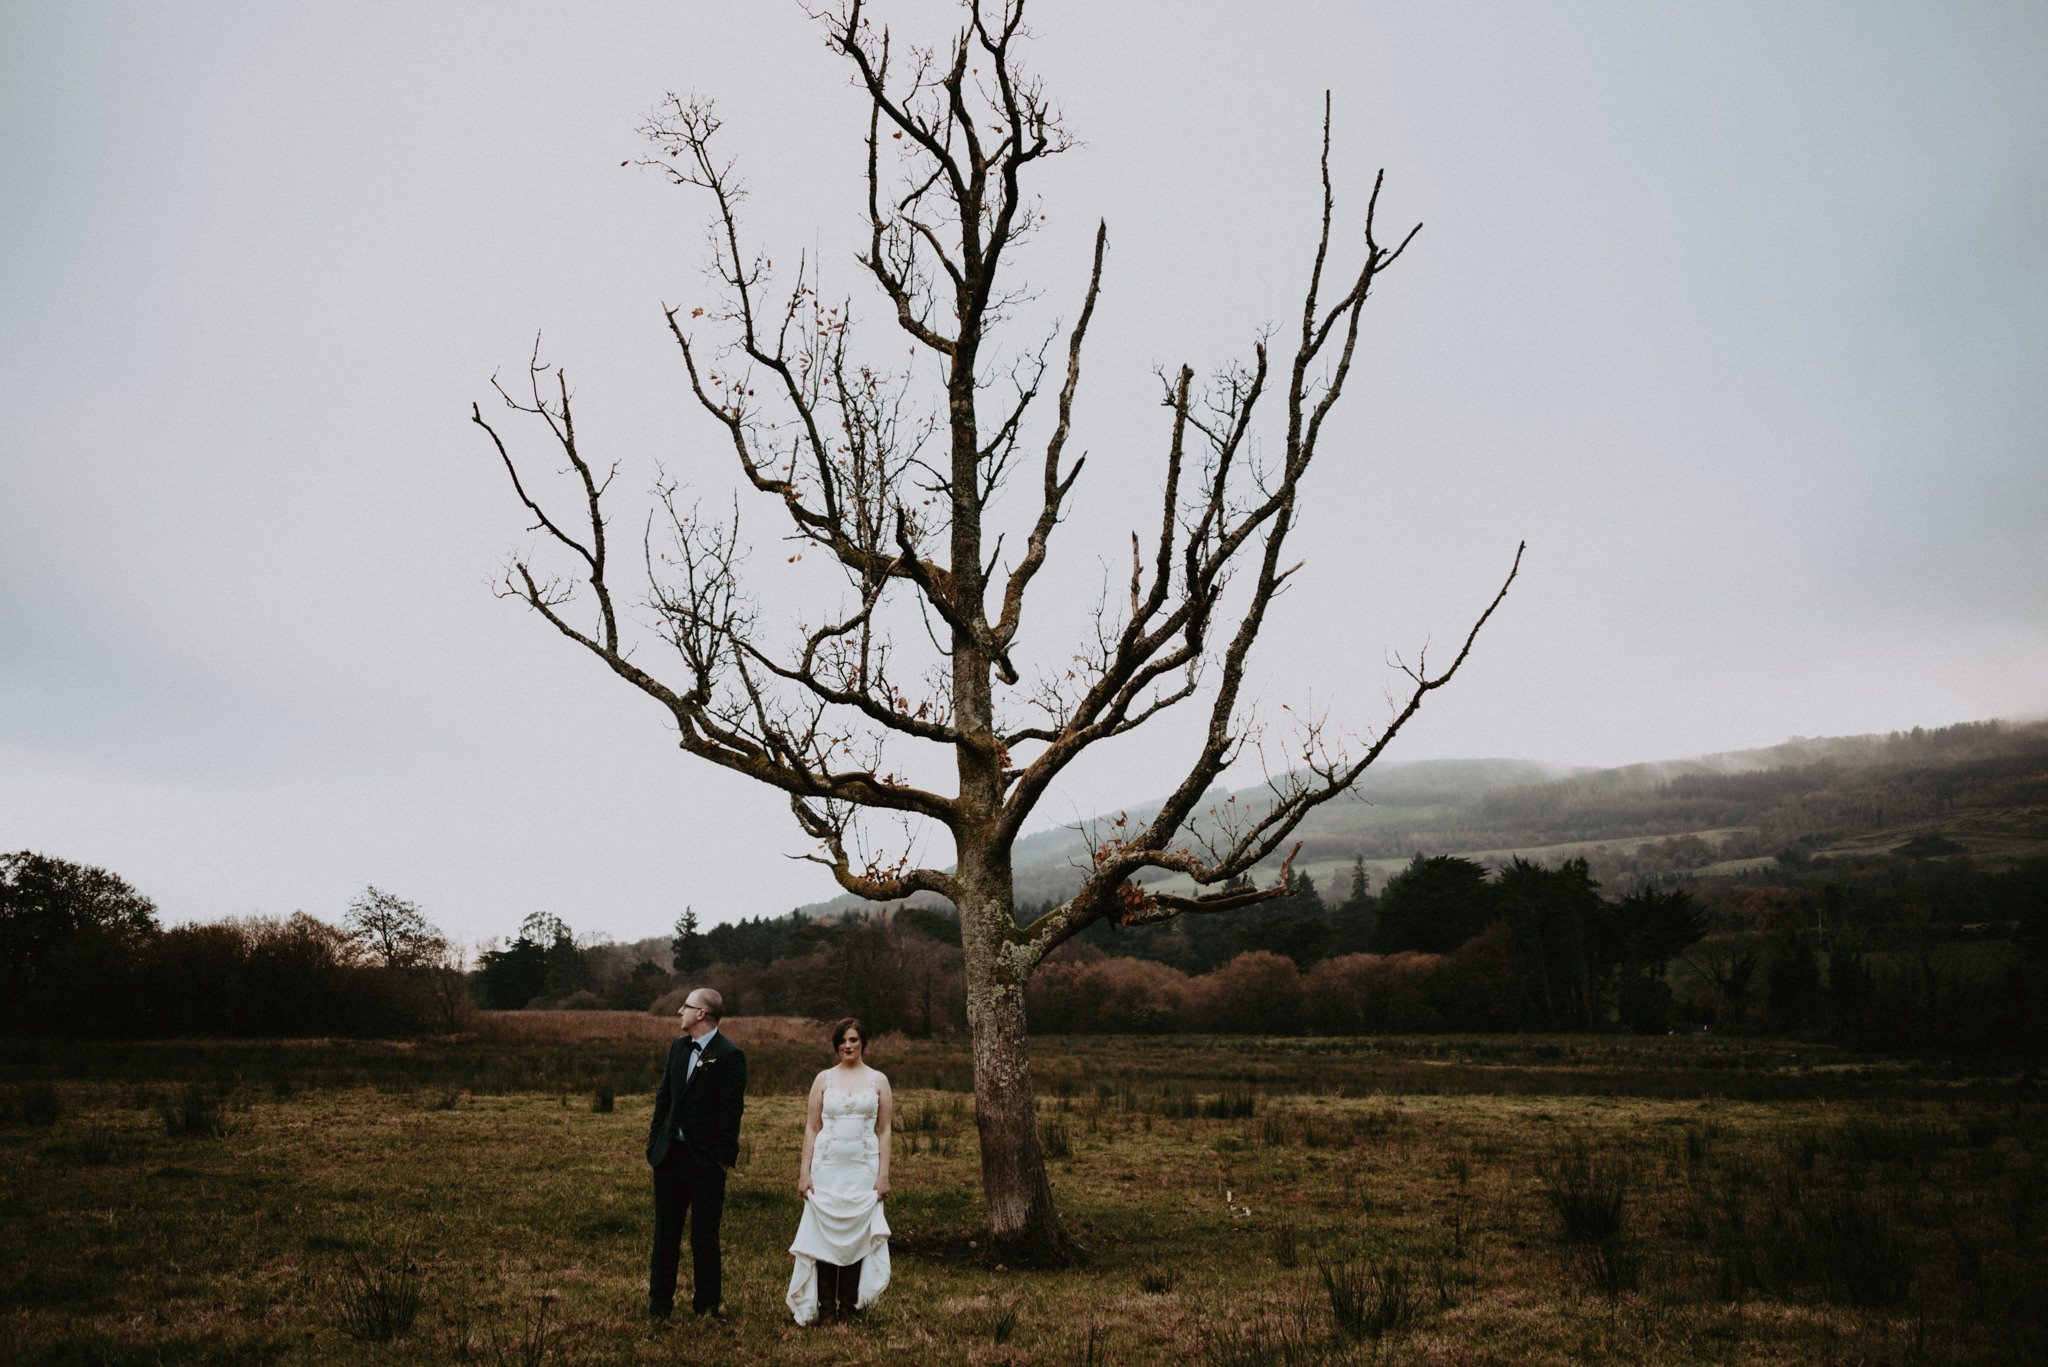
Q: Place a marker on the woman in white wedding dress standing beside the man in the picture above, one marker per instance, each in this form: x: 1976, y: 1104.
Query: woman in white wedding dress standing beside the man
x: 843, y: 1241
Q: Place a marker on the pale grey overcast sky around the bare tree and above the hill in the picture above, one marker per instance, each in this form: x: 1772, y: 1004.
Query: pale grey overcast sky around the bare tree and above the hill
x: 1736, y: 313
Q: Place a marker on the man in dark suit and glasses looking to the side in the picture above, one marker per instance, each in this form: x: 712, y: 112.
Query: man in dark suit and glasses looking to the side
x: 693, y: 1141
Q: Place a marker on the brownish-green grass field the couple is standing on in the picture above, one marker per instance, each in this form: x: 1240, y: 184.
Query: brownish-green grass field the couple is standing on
x: 1525, y: 1200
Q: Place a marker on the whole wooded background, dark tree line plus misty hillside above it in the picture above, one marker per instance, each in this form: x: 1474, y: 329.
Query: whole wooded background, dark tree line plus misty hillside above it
x: 1885, y: 890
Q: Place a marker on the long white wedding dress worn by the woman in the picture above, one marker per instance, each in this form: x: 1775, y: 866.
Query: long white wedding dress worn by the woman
x: 843, y: 1218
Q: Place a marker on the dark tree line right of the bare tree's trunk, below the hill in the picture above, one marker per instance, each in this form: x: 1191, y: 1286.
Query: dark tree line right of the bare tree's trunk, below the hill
x: 1873, y: 952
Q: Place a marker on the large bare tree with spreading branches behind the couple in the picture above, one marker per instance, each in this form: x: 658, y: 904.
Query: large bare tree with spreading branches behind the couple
x: 898, y: 501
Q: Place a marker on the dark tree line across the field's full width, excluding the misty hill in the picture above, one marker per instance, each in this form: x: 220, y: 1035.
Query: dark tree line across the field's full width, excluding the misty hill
x: 1840, y: 948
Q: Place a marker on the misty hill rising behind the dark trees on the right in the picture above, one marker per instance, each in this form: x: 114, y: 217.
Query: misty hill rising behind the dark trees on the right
x: 1979, y: 786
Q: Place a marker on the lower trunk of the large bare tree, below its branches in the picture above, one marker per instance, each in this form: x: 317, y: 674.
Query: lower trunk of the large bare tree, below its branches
x: 1015, y: 1188
